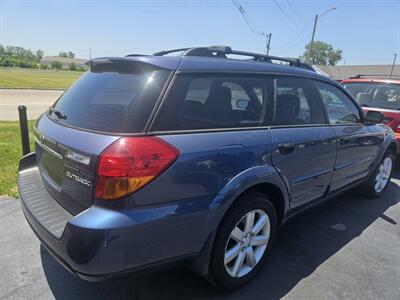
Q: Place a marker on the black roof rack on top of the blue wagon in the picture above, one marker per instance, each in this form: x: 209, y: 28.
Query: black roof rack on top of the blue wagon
x: 223, y: 51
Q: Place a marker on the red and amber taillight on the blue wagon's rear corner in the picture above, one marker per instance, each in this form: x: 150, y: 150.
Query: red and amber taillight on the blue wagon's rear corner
x: 129, y: 163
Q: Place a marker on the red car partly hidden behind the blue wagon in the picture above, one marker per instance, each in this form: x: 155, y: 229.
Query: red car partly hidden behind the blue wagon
x: 379, y: 94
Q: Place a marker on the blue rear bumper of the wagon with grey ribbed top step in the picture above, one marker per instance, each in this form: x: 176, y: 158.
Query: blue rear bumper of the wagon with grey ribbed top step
x: 100, y: 243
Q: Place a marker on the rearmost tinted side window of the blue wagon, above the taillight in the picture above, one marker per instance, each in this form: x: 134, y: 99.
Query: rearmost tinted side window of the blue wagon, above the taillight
x: 212, y: 102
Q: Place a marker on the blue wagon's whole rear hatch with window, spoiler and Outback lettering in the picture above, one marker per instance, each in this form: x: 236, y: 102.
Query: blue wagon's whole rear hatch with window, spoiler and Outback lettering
x: 116, y: 97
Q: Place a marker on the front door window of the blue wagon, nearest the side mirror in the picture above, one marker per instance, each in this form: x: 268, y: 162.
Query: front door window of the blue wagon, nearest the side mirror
x: 340, y: 109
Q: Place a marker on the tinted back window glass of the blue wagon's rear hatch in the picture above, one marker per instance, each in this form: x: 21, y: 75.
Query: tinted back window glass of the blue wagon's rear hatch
x: 111, y: 101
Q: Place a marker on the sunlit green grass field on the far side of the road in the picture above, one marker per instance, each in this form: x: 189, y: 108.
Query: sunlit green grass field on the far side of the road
x: 36, y: 79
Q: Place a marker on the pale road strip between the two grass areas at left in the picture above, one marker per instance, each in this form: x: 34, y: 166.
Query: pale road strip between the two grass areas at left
x: 37, y: 101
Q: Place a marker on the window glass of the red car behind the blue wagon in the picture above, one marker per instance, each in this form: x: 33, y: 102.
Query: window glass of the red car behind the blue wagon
x: 373, y: 94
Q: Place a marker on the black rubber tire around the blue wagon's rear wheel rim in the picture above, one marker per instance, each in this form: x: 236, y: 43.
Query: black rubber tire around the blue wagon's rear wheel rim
x: 246, y: 203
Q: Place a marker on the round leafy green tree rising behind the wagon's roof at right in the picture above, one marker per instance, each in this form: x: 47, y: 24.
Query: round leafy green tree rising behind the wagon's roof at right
x: 322, y: 54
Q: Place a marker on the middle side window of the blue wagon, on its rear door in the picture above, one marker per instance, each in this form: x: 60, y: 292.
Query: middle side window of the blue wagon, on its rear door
x: 297, y: 103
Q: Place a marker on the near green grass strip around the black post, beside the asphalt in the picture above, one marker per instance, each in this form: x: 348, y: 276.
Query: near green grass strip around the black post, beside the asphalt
x: 10, y: 153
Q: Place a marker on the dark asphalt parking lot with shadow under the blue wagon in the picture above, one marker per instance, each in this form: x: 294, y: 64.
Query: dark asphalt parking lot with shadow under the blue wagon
x: 347, y: 248
